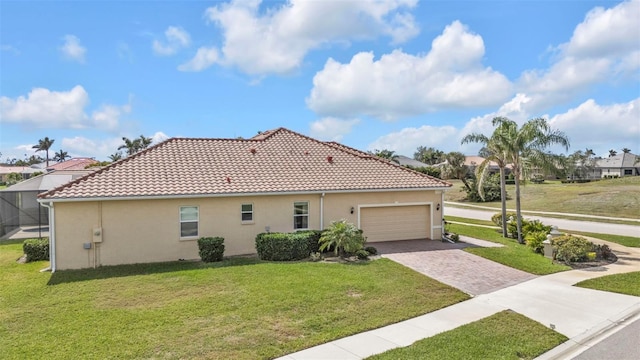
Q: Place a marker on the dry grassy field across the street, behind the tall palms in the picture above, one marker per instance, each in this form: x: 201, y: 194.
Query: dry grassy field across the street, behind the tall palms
x: 612, y: 197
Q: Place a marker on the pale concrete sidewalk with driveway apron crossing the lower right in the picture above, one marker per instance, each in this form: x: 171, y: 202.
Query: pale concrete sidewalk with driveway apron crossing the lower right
x: 580, y: 314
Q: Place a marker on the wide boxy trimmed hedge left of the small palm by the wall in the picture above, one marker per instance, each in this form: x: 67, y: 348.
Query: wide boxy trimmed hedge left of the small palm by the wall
x: 282, y: 246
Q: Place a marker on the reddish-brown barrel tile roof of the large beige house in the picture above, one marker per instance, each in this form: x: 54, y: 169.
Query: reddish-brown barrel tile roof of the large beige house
x: 276, y: 161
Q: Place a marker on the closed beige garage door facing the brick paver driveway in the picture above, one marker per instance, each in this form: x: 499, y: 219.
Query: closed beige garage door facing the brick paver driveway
x: 395, y: 222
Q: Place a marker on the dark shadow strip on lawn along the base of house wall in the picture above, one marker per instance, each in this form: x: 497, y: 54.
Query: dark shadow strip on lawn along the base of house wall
x: 107, y: 272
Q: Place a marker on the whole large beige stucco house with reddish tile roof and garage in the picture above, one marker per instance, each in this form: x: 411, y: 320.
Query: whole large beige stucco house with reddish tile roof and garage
x: 154, y: 205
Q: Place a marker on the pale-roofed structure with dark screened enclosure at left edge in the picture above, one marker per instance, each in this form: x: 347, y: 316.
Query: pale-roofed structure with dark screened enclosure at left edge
x: 18, y: 203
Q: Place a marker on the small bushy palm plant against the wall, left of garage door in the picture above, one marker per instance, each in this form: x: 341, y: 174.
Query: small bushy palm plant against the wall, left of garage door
x: 342, y: 237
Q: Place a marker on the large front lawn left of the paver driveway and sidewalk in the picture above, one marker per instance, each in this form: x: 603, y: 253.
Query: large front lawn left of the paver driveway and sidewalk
x: 236, y: 309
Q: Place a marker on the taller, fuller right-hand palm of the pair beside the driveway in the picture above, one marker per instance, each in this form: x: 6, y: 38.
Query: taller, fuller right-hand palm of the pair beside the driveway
x: 525, y: 146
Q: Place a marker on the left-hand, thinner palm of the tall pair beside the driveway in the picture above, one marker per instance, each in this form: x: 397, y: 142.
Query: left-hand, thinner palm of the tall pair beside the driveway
x: 494, y: 151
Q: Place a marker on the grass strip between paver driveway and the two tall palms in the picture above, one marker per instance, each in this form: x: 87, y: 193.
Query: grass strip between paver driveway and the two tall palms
x: 512, y: 254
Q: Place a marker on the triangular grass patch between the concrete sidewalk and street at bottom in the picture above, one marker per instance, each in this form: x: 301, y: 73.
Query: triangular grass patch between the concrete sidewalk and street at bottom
x: 505, y: 335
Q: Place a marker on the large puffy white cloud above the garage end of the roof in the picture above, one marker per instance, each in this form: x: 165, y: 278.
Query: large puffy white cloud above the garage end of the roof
x: 451, y: 75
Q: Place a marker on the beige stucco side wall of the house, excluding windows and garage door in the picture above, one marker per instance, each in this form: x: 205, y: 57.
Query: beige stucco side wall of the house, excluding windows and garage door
x: 139, y: 231
